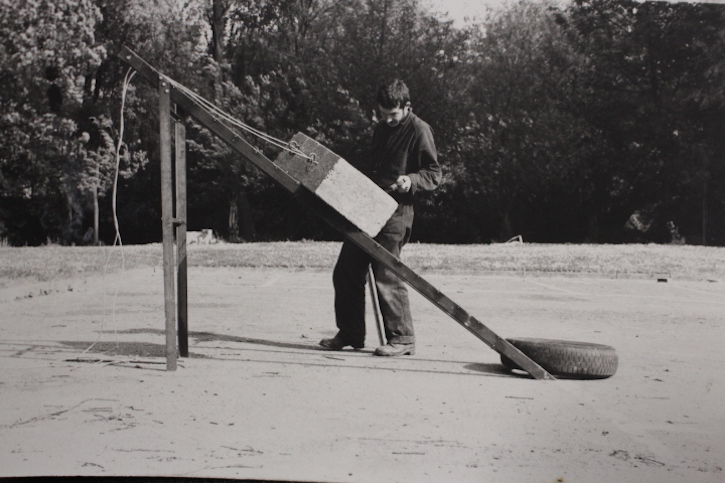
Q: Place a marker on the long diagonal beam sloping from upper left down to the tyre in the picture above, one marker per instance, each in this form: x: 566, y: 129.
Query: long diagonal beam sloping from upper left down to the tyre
x: 308, y: 199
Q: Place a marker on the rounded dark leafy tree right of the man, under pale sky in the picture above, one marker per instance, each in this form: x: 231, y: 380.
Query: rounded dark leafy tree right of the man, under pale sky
x: 519, y: 147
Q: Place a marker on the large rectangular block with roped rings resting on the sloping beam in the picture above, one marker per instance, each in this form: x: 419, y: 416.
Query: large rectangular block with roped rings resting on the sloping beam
x: 339, y: 184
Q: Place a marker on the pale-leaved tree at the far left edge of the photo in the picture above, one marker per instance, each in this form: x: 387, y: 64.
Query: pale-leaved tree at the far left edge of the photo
x: 47, y: 50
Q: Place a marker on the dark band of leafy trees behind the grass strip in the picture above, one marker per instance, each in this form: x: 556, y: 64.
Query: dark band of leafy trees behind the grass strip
x: 599, y: 121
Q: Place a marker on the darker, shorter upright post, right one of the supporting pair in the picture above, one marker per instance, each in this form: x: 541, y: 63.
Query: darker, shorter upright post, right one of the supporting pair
x: 181, y: 265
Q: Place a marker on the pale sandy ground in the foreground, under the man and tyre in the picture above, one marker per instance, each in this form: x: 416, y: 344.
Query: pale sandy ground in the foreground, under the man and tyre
x: 84, y: 388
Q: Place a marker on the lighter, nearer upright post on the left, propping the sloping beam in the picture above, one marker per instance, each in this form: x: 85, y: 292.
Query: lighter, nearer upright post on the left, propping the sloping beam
x: 167, y: 210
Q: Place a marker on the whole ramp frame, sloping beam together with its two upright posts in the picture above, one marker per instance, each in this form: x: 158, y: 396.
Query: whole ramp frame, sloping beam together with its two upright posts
x: 177, y: 222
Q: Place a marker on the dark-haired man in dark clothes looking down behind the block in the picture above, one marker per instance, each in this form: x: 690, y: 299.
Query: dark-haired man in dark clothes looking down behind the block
x: 403, y: 162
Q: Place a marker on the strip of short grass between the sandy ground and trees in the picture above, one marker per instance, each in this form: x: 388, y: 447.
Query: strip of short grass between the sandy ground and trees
x: 27, y: 264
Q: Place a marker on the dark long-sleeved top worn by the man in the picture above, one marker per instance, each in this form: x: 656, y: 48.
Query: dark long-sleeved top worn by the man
x: 406, y: 149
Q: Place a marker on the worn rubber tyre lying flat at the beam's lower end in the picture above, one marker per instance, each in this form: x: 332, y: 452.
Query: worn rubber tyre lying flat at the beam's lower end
x: 569, y: 359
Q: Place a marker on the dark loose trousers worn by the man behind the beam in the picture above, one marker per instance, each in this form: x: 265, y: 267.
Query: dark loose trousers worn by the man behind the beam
x: 349, y: 281
